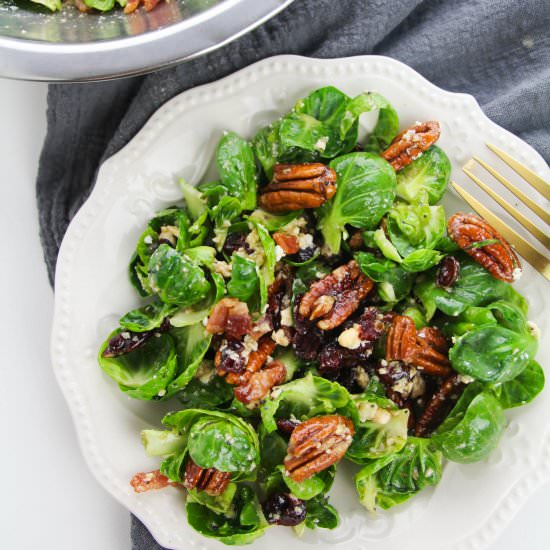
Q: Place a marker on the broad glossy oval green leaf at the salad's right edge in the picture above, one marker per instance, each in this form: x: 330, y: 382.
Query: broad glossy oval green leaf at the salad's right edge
x: 492, y: 353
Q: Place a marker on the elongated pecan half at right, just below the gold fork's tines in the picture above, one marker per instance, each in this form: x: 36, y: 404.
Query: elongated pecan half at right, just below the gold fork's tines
x: 497, y: 256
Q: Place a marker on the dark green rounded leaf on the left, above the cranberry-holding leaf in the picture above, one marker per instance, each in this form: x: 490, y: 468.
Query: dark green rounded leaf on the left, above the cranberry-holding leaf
x: 175, y: 278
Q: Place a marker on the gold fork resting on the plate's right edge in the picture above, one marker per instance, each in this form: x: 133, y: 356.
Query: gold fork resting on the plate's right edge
x: 536, y: 258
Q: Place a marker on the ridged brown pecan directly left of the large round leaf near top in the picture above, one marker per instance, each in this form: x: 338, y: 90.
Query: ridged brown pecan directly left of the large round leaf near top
x: 297, y: 186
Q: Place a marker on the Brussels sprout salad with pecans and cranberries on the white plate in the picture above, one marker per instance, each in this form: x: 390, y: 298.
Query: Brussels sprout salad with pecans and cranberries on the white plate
x: 314, y: 304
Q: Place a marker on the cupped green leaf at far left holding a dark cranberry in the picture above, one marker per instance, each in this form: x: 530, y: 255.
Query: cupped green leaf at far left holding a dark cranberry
x: 145, y: 372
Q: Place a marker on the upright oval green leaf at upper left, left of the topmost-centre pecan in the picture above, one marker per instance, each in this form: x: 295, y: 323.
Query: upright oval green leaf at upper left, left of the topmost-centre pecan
x: 237, y: 169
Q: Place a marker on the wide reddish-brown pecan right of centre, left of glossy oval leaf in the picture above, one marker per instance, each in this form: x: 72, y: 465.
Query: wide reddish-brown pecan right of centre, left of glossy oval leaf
x: 426, y: 349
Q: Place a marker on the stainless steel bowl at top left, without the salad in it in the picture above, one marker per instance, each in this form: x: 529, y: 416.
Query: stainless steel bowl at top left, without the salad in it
x: 70, y: 46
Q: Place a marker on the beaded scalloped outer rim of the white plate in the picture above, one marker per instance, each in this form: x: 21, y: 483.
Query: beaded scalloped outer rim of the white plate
x: 101, y: 191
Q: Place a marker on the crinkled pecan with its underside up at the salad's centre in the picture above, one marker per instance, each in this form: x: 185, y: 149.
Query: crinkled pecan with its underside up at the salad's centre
x: 335, y: 297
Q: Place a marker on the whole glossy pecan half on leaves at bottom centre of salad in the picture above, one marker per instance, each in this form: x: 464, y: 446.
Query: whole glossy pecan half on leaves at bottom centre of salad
x: 316, y: 444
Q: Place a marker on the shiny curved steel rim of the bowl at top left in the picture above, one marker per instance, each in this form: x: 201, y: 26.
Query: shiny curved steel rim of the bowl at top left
x: 134, y: 55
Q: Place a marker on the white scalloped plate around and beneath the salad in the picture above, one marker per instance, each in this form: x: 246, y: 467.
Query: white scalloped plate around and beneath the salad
x: 472, y: 504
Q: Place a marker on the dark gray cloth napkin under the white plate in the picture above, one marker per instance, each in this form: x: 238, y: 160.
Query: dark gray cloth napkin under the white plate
x: 497, y: 50
